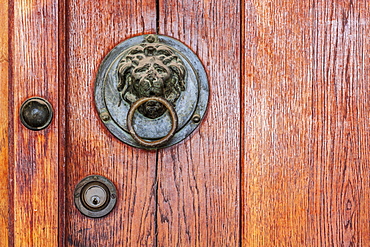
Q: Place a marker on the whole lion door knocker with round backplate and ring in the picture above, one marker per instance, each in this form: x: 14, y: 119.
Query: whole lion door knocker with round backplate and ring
x: 151, y: 91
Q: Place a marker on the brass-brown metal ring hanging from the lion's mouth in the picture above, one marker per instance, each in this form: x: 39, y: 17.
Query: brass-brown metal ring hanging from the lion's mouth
x: 161, y: 141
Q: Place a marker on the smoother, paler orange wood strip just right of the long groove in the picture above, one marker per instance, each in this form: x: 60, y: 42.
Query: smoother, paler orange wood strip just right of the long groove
x: 276, y: 123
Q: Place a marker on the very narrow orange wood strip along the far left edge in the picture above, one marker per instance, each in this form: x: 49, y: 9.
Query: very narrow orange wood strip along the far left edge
x: 4, y: 150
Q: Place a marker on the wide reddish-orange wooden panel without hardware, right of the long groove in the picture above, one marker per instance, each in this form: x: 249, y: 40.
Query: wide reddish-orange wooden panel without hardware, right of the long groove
x: 305, y: 123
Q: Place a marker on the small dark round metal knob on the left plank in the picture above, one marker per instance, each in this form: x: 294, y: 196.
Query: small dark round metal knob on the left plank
x: 36, y: 113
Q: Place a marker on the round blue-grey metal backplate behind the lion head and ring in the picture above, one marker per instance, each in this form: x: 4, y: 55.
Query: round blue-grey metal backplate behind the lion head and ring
x: 113, y: 107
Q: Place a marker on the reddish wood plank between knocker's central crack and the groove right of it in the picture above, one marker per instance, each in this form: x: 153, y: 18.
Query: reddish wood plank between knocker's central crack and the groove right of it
x: 199, y: 179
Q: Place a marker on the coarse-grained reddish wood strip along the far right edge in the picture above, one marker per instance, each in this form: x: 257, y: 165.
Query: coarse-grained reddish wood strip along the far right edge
x: 339, y: 142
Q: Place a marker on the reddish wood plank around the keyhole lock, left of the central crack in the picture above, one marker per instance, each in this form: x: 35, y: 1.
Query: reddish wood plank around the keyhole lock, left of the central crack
x: 94, y: 28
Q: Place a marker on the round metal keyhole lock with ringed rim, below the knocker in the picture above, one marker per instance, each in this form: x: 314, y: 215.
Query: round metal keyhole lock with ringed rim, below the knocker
x: 95, y: 196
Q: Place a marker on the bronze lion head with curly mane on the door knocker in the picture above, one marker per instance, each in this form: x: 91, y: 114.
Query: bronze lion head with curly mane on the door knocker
x: 151, y: 69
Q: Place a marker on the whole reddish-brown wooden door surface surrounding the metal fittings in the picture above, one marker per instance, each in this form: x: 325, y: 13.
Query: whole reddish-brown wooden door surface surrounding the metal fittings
x: 281, y: 159
